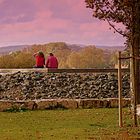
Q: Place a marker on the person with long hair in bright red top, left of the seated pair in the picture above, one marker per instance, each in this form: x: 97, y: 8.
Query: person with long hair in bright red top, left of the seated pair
x: 40, y: 60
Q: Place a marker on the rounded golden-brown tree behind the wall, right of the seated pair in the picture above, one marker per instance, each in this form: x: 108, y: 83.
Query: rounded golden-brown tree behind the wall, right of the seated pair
x: 88, y: 57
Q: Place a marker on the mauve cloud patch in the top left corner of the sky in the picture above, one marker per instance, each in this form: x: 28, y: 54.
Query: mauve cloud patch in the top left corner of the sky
x: 17, y: 11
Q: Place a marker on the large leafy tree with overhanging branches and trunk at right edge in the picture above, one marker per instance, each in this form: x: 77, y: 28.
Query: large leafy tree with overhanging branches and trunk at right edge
x: 126, y: 12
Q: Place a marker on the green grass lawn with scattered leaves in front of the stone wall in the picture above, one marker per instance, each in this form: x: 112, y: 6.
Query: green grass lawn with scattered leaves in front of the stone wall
x: 80, y: 124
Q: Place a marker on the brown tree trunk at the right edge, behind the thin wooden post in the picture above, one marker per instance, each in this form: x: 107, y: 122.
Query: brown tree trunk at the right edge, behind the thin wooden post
x: 134, y: 62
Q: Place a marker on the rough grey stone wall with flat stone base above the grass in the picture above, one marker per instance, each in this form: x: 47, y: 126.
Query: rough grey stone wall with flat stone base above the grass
x: 36, y: 90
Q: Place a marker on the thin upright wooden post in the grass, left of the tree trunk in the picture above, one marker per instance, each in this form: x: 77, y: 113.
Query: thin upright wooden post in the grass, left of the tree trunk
x: 120, y: 89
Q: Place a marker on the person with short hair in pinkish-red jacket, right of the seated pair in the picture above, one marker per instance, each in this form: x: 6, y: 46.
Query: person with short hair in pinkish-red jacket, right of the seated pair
x: 52, y: 61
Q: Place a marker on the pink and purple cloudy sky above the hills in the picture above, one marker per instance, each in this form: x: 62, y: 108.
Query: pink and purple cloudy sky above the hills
x: 44, y: 21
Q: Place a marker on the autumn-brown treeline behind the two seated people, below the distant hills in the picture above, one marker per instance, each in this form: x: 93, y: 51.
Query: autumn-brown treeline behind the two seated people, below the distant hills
x: 87, y: 57
